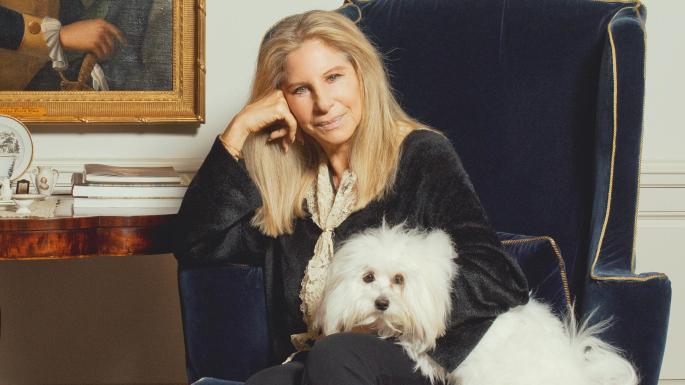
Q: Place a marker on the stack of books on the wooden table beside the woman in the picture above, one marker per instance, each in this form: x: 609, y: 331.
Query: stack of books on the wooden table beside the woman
x: 101, y: 186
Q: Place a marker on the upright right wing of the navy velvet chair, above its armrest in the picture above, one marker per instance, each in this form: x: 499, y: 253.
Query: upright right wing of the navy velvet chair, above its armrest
x: 618, y: 138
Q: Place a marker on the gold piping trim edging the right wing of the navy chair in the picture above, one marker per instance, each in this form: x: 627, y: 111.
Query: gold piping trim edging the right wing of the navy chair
x: 600, y: 243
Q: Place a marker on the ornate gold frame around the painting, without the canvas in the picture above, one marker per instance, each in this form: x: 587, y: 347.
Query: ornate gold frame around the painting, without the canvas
x: 183, y: 103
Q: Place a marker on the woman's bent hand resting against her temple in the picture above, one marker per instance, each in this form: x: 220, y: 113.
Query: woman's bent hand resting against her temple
x: 269, y: 111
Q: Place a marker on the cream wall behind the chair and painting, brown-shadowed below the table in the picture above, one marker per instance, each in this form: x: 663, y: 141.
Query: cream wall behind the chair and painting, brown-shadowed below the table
x: 116, y: 320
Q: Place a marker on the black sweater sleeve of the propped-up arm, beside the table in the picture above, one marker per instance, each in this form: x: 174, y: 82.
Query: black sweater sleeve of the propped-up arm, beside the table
x: 213, y: 224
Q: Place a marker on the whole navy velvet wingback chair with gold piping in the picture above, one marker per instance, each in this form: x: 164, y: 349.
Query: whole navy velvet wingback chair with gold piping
x: 543, y: 101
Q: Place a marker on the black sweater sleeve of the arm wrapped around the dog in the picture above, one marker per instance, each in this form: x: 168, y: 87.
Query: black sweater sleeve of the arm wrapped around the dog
x: 489, y: 281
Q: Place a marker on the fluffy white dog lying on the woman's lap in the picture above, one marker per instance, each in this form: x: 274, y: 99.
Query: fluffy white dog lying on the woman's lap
x: 397, y: 282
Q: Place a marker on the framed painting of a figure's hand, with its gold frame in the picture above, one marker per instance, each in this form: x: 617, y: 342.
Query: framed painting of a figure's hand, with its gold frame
x: 120, y: 61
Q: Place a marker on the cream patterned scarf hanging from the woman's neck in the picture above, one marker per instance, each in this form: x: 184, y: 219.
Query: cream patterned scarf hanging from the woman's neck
x: 329, y: 209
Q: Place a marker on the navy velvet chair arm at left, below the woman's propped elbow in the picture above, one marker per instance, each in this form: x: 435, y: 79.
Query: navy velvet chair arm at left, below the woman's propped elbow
x: 224, y: 321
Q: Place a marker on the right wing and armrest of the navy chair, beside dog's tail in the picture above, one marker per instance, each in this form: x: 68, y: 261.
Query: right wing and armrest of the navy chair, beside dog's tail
x: 638, y: 304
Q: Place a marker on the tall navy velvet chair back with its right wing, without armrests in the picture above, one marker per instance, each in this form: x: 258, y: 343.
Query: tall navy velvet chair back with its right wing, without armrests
x: 525, y: 91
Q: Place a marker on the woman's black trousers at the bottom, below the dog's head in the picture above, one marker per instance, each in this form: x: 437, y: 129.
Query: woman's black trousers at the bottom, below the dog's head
x: 345, y: 359
